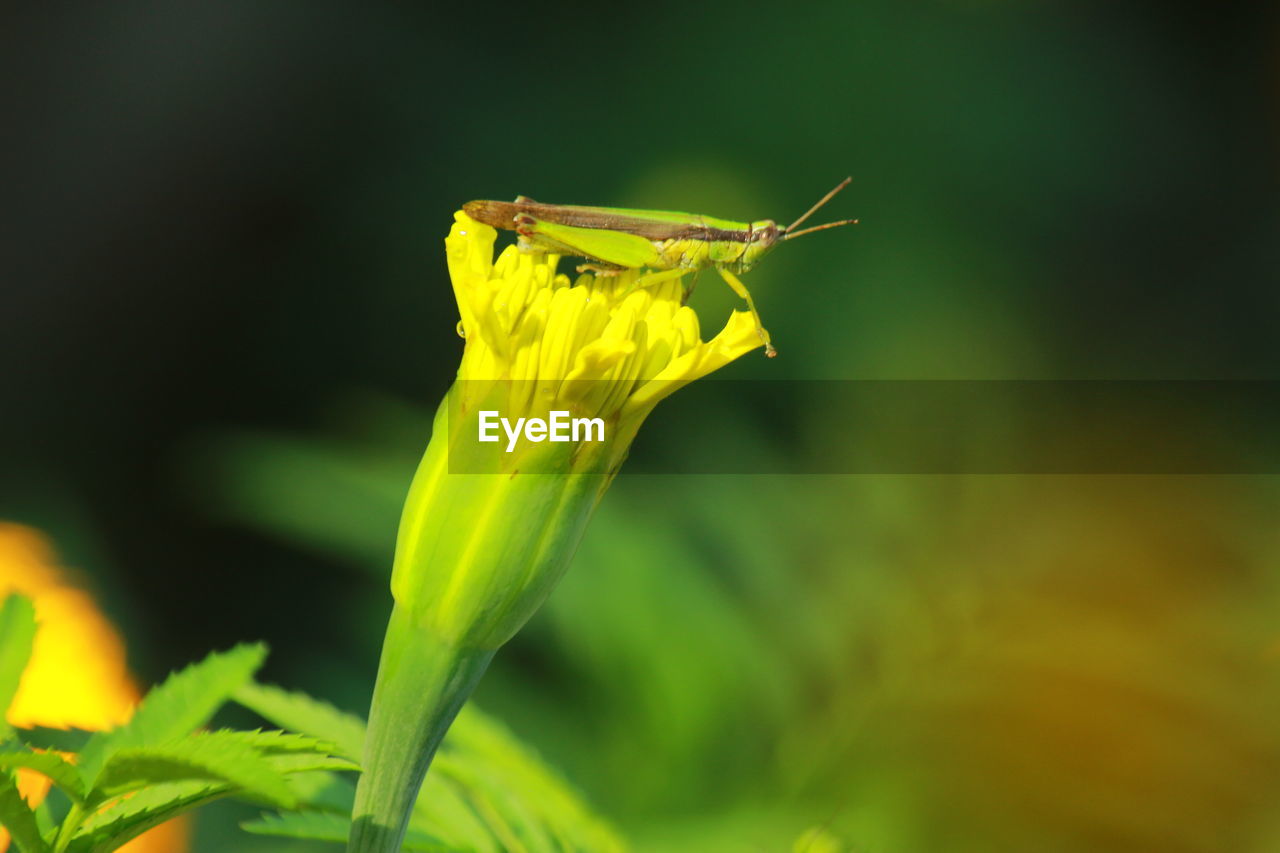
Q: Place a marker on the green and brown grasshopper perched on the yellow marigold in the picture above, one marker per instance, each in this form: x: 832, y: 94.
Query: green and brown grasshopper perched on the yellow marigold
x: 671, y: 244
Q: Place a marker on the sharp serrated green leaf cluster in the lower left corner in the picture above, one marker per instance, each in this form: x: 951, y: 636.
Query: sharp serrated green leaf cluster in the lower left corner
x: 157, y: 767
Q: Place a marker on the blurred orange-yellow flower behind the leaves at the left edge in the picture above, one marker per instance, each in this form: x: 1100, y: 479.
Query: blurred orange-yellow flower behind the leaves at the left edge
x: 77, y: 676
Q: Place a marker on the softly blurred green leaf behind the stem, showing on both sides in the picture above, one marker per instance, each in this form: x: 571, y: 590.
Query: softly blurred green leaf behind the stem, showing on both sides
x: 486, y: 791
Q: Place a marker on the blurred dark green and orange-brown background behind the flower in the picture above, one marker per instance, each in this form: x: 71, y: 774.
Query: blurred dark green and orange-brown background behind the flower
x: 226, y: 321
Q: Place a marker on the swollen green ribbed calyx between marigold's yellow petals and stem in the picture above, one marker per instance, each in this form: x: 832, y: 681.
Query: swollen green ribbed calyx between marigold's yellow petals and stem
x: 478, y: 553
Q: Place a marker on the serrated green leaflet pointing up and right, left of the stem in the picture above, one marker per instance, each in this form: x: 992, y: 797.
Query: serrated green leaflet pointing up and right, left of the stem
x: 185, y: 703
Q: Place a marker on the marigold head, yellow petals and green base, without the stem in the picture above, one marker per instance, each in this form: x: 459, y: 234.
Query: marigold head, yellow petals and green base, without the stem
x: 477, y: 555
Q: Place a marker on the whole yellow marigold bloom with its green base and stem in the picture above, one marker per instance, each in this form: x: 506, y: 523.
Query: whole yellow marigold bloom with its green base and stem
x: 486, y: 536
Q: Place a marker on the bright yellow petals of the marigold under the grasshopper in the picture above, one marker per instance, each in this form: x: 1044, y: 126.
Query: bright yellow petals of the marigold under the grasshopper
x: 597, y: 346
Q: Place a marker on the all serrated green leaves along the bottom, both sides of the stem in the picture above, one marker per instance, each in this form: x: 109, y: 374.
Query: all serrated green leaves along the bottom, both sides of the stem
x: 490, y: 793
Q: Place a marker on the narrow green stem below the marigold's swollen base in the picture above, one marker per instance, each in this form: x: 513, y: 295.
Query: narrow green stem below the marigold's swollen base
x: 423, y: 683
